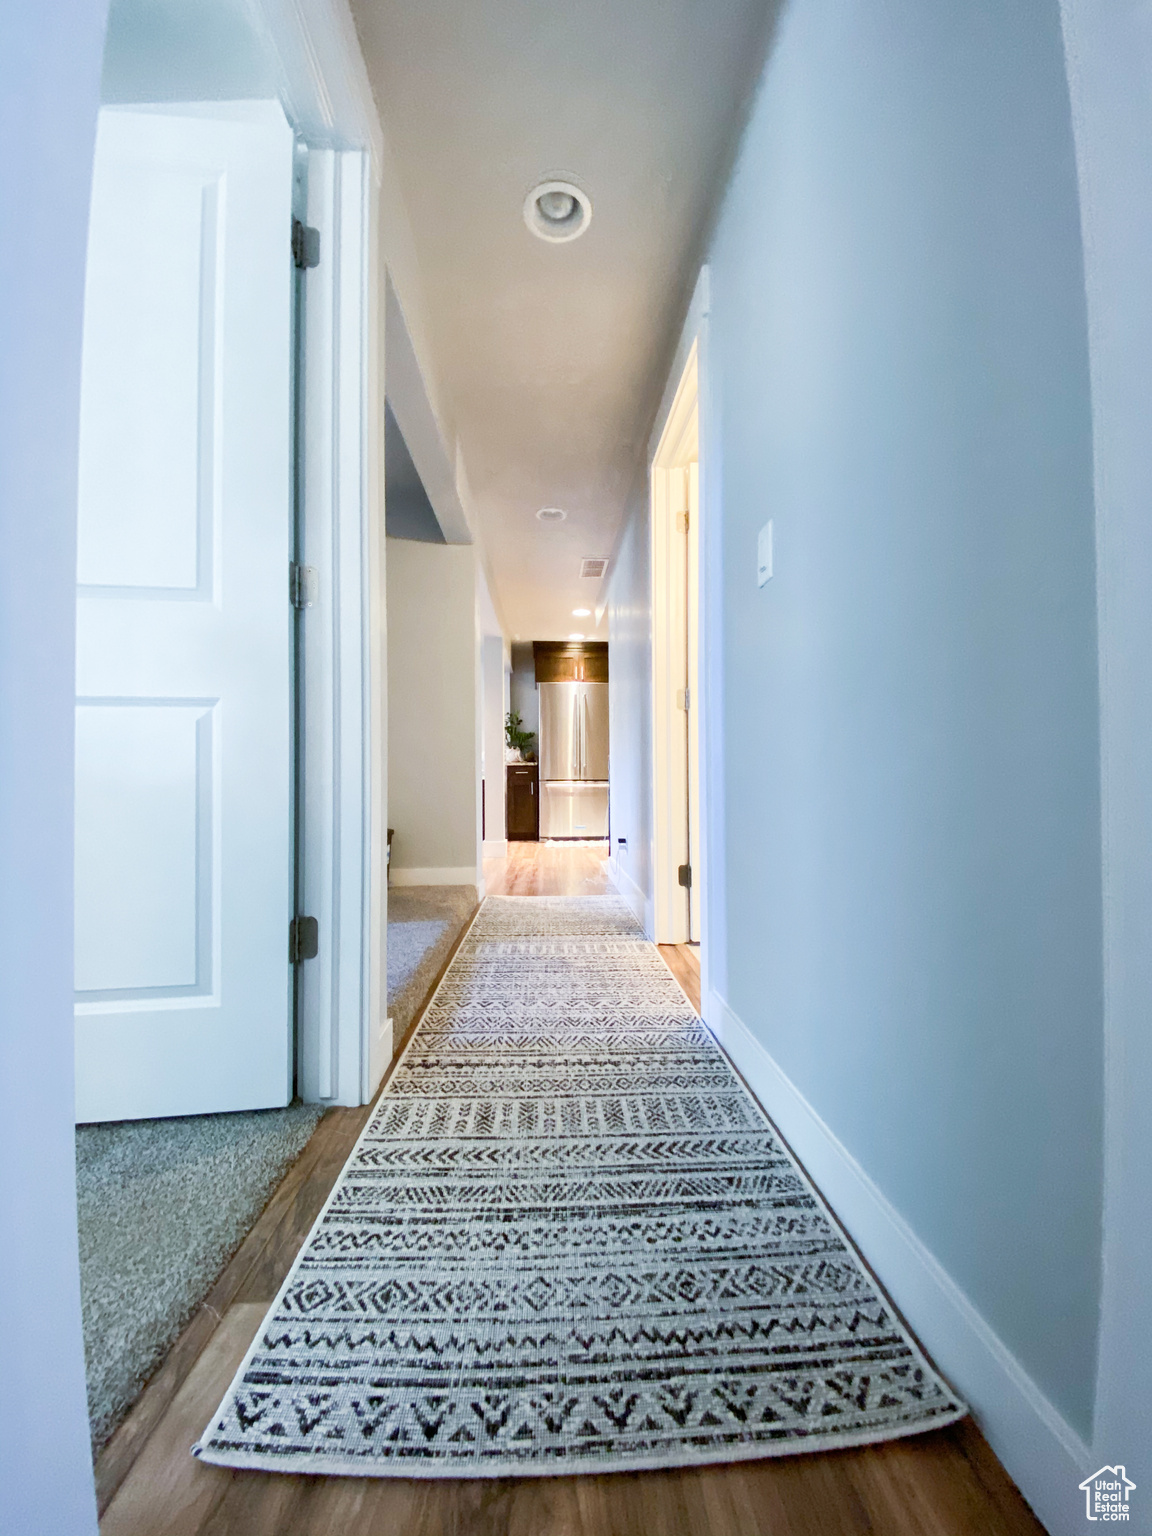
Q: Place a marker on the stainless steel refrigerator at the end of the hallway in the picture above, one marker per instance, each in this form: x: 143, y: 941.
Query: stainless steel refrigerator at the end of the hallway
x: 574, y: 760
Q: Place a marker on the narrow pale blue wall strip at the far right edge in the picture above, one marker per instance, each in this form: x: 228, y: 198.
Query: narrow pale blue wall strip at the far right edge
x: 1110, y: 51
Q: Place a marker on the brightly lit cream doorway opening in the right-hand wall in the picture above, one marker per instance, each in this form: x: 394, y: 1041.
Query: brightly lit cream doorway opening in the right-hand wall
x: 680, y: 853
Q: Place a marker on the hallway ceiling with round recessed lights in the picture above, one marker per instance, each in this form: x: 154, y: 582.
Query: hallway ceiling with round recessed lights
x: 552, y: 357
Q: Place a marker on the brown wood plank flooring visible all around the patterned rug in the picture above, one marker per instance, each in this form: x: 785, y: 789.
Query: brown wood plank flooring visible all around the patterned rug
x: 941, y: 1485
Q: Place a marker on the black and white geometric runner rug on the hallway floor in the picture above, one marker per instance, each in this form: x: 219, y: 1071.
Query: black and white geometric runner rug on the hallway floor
x: 569, y: 1240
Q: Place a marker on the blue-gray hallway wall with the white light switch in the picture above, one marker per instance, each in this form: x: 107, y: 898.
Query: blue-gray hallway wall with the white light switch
x: 913, y: 842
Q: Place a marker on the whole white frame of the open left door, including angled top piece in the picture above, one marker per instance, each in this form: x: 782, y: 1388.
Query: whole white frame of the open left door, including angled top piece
x: 343, y: 1034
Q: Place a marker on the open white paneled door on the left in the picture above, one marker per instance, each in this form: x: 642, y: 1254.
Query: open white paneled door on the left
x: 184, y: 841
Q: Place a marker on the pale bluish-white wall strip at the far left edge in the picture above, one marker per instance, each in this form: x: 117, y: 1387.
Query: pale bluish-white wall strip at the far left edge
x: 50, y: 88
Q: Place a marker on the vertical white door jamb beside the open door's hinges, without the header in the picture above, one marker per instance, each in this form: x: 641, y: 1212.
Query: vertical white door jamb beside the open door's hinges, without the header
x: 334, y: 1016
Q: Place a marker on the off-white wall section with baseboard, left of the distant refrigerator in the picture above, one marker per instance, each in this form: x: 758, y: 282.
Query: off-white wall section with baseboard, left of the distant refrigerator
x: 434, y: 720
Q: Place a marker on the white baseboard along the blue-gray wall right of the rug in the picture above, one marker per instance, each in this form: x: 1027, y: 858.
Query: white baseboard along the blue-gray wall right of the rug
x: 1038, y: 1446
